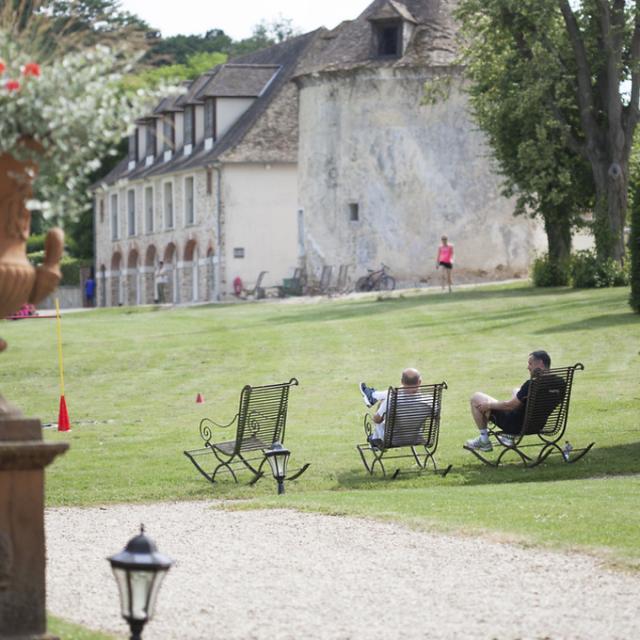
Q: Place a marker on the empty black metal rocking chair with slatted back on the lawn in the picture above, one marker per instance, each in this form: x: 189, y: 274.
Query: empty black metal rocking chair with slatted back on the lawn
x: 260, y: 422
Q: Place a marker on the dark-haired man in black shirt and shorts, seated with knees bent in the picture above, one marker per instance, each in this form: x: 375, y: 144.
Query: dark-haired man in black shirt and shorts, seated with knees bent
x: 508, y: 415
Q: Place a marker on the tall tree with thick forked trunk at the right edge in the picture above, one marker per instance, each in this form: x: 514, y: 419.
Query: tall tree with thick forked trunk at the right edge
x: 580, y: 54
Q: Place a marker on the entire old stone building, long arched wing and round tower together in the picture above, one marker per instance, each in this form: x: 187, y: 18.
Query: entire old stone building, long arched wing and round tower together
x: 318, y: 151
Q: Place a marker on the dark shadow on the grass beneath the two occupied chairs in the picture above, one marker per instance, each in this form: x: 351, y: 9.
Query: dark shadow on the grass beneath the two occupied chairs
x: 616, y: 460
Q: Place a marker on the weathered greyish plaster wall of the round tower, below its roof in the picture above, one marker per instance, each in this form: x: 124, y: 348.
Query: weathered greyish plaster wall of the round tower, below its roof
x: 415, y: 171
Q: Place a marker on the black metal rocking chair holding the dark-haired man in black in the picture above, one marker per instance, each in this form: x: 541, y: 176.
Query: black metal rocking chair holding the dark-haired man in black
x: 545, y: 420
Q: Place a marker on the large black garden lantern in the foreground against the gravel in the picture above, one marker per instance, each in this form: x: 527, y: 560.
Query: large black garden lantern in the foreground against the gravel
x: 139, y: 570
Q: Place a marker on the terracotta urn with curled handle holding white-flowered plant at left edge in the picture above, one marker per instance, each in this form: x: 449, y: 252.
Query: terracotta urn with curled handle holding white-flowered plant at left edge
x: 20, y: 281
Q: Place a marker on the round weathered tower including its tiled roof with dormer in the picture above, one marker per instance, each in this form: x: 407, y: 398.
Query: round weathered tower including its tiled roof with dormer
x: 381, y: 175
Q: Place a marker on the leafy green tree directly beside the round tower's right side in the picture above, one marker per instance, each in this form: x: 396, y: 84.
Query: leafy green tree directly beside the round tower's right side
x: 547, y: 178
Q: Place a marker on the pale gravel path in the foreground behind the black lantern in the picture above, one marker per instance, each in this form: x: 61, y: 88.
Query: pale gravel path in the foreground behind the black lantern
x: 277, y: 575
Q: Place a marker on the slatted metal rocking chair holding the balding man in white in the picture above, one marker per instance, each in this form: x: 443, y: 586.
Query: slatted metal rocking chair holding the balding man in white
x: 412, y: 422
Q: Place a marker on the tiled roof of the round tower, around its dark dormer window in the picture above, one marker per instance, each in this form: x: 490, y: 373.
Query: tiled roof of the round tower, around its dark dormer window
x: 349, y: 45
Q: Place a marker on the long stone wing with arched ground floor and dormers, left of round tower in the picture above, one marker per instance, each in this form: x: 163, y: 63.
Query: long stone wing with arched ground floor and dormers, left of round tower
x: 209, y: 186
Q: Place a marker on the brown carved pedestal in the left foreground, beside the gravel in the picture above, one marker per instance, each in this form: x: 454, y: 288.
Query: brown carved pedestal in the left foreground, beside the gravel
x: 23, y: 457
